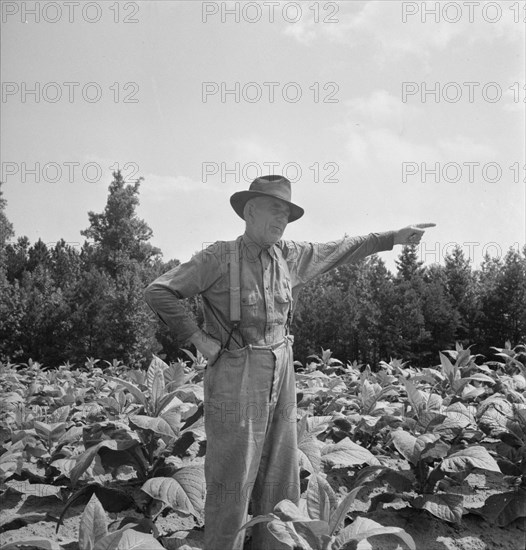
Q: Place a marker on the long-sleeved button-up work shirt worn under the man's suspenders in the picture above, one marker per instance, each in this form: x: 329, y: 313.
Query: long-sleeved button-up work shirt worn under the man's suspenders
x: 270, y: 280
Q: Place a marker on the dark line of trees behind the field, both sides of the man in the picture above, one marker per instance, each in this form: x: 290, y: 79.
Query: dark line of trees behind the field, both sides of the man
x: 63, y: 305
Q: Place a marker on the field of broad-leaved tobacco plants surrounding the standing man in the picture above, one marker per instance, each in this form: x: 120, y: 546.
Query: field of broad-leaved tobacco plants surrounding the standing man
x: 106, y: 457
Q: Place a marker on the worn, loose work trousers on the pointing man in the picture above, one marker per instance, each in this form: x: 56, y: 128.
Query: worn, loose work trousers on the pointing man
x: 251, y: 452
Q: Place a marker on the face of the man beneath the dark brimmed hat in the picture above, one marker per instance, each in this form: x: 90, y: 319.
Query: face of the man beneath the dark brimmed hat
x: 266, y: 220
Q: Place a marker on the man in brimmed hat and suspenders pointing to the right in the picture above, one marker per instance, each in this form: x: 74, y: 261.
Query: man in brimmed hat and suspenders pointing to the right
x: 248, y: 289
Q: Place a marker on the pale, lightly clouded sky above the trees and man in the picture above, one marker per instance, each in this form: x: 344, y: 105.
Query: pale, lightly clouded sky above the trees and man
x: 381, y: 113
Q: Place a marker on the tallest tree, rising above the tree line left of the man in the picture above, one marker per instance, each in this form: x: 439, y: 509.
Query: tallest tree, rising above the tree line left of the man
x: 119, y: 264
